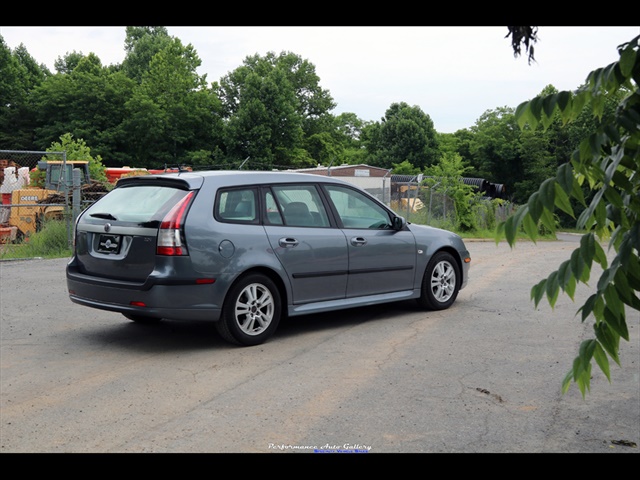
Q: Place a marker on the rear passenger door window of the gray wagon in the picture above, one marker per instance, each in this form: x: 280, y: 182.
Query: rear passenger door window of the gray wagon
x: 301, y: 205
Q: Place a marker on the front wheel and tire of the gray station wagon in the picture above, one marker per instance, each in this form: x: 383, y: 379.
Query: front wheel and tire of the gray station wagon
x: 441, y: 282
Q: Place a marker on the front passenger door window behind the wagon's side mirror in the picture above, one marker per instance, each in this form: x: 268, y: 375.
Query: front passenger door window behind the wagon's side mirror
x: 357, y: 210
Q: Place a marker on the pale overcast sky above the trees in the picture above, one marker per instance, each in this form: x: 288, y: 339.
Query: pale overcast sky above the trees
x: 453, y: 74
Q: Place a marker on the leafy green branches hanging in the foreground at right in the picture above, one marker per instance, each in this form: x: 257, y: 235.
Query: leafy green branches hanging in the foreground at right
x: 607, y: 162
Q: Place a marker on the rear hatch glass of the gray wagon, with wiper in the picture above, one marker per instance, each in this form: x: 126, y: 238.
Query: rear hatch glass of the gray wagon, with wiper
x: 136, y: 204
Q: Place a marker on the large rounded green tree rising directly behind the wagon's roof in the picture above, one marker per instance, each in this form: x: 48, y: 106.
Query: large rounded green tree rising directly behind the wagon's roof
x: 276, y: 112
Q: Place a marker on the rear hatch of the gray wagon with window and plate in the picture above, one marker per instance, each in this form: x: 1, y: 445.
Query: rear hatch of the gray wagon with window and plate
x: 128, y: 233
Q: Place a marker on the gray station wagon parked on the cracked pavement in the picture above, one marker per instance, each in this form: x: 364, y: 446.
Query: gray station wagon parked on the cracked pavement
x: 243, y: 249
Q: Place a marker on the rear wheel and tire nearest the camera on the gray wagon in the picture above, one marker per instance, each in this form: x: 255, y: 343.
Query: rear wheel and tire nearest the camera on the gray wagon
x: 251, y: 311
